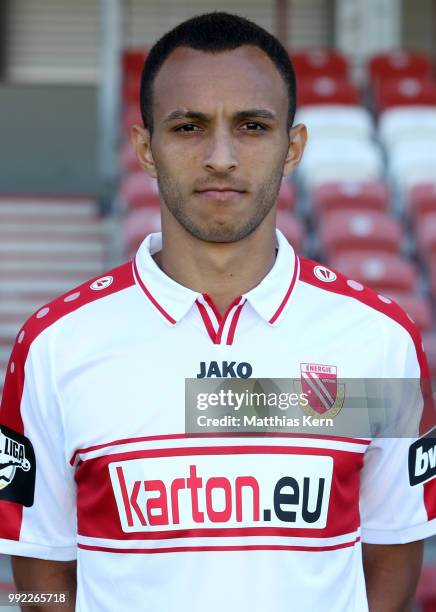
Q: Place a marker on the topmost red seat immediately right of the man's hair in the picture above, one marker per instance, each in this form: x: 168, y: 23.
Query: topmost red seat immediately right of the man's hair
x: 320, y: 62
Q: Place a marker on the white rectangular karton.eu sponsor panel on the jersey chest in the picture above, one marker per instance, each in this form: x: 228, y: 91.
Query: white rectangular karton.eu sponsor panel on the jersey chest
x: 185, y: 492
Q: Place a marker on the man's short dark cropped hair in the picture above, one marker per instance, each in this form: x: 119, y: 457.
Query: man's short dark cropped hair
x: 213, y: 33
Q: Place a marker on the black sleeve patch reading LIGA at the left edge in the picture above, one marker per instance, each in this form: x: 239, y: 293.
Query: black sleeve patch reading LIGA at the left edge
x: 17, y: 468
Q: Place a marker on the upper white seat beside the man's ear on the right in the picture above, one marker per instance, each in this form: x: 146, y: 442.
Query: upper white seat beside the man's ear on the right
x: 336, y: 121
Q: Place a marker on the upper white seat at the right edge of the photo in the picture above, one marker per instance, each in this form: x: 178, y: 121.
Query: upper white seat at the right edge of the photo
x: 406, y: 124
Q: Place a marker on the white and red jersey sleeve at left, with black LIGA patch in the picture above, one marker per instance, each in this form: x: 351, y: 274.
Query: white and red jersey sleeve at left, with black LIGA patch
x: 37, y: 488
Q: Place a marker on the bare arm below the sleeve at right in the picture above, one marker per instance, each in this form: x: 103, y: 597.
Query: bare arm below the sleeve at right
x: 392, y: 573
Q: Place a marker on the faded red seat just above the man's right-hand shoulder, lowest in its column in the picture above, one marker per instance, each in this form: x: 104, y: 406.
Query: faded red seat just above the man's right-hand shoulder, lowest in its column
x: 384, y: 272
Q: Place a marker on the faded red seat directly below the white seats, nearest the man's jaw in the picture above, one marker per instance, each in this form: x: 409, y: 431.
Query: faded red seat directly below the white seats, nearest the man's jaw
x: 371, y: 195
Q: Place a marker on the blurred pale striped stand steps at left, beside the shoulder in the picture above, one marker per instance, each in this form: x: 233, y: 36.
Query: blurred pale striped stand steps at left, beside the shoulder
x: 47, y: 246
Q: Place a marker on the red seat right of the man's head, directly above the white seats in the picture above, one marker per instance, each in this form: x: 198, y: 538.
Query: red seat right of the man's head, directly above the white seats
x: 326, y: 90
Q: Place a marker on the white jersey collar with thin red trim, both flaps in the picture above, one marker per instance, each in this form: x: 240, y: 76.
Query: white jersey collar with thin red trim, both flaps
x: 173, y: 301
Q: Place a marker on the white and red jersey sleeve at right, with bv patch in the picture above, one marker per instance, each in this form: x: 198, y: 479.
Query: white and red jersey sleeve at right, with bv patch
x: 395, y: 506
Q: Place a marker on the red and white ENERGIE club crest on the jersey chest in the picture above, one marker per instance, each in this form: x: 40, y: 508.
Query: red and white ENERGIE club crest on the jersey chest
x: 320, y: 384
